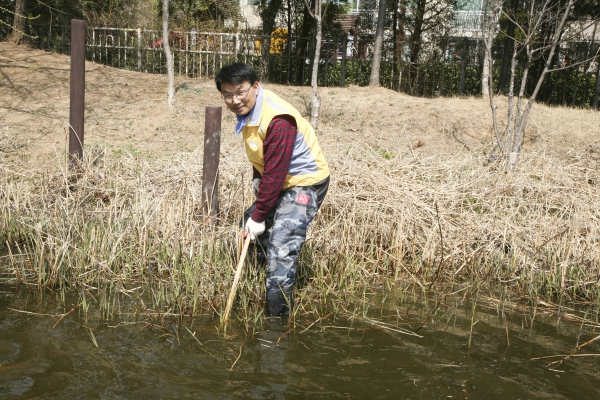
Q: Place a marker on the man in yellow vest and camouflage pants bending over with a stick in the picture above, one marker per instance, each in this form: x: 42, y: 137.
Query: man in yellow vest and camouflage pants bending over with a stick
x: 290, y: 177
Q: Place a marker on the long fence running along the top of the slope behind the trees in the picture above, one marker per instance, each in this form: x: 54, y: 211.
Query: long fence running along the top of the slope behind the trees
x: 452, y: 68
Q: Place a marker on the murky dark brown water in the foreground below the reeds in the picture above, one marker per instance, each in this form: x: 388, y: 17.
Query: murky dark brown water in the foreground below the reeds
x: 342, y: 358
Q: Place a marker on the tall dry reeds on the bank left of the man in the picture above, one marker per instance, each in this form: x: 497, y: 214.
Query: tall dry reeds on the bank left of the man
x: 121, y: 223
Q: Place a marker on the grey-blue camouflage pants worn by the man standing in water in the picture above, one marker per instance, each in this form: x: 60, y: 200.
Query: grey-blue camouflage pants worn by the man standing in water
x: 288, y: 223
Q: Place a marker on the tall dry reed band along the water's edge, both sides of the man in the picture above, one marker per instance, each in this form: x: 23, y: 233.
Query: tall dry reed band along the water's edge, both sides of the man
x: 133, y: 227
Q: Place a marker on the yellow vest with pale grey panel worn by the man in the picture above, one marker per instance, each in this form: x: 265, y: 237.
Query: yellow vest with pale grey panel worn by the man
x: 308, y: 165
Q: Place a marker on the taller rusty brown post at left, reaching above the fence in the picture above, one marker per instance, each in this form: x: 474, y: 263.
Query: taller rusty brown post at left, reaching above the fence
x: 77, y: 91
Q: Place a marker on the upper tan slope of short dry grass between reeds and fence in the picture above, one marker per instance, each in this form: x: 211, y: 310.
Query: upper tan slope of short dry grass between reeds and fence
x: 127, y: 110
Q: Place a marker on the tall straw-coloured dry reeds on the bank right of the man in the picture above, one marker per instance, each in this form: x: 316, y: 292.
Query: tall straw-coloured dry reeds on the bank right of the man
x: 464, y: 217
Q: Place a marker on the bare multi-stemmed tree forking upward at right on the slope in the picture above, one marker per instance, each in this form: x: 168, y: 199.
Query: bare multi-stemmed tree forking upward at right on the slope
x: 538, y: 15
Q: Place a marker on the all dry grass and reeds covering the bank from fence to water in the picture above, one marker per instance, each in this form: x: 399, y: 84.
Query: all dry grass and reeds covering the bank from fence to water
x: 418, y: 196
